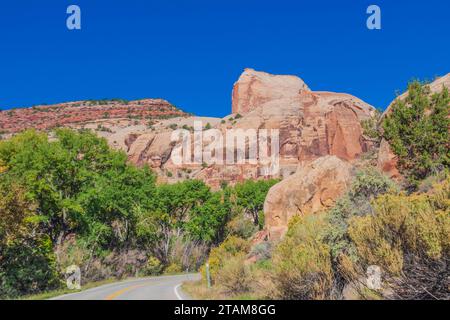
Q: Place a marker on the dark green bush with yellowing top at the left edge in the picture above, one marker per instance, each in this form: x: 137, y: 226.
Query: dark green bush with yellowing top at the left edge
x: 27, y: 262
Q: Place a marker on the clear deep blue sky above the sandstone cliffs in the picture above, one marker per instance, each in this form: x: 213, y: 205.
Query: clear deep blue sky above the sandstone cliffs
x: 190, y: 52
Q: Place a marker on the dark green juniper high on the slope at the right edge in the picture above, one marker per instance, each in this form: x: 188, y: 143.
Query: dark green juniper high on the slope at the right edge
x: 417, y: 130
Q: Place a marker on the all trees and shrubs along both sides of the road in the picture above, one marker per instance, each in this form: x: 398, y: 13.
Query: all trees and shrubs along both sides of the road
x: 69, y: 199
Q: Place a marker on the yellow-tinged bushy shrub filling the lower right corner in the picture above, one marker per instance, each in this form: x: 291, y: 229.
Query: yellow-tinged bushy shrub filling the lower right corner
x: 409, y: 238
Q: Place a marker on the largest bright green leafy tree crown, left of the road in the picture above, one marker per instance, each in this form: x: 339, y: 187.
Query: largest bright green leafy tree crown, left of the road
x: 75, y: 180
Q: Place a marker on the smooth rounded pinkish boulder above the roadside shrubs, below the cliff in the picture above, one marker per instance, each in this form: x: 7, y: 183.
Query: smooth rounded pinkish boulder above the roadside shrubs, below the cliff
x: 311, y: 189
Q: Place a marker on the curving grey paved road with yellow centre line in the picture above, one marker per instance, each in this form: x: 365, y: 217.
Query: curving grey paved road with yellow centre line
x: 157, y: 288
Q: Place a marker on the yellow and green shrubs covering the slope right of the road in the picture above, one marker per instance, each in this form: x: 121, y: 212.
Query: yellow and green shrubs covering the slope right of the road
x: 402, y: 227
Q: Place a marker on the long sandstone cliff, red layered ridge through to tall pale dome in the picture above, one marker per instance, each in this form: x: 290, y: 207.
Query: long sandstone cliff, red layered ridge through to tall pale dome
x: 311, y: 125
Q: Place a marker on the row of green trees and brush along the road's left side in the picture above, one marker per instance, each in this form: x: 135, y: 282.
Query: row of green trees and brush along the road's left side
x: 69, y: 199
